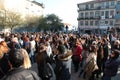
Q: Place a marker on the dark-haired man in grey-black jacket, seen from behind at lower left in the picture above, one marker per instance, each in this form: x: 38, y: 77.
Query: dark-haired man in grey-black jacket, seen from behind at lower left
x: 18, y: 72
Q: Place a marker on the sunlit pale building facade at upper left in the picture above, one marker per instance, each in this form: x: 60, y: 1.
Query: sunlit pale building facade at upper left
x: 23, y: 7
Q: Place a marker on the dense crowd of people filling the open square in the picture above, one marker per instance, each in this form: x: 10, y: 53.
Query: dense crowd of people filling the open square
x: 54, y: 54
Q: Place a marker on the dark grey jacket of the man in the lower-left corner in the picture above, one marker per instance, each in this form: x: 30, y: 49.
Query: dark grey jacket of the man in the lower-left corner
x: 21, y: 74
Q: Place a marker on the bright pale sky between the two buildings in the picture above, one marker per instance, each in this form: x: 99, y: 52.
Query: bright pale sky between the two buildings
x: 64, y: 9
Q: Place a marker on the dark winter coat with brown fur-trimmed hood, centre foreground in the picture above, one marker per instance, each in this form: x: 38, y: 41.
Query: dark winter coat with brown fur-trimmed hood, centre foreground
x: 63, y: 66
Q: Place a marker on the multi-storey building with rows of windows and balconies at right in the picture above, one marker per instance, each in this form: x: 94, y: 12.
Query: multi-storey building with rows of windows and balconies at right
x: 96, y: 15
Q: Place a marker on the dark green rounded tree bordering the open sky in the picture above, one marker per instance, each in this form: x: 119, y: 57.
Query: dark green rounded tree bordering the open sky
x: 50, y: 22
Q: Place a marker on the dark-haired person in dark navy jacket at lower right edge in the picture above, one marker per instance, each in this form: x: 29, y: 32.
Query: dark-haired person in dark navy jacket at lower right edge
x: 111, y: 65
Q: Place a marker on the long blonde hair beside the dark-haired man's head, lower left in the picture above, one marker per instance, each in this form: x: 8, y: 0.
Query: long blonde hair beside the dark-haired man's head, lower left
x: 27, y: 62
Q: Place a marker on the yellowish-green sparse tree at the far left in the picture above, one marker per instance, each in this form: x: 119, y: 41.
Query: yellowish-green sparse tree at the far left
x: 10, y: 19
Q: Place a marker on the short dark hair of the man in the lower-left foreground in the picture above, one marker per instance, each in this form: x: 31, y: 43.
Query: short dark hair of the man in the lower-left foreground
x: 16, y: 58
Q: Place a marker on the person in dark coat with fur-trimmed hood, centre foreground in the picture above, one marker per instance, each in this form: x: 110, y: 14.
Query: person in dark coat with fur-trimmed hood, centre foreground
x: 63, y: 62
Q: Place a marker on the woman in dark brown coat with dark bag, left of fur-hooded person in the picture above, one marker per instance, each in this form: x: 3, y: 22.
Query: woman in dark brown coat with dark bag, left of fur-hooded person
x: 43, y: 63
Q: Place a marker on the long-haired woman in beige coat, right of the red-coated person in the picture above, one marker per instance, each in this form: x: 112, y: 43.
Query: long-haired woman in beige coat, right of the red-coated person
x: 91, y: 63
